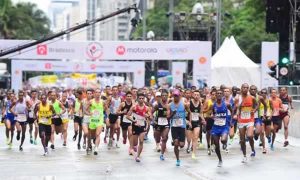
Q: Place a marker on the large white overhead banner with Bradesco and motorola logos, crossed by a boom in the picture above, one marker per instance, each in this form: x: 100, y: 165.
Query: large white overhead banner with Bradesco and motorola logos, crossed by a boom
x: 107, y: 50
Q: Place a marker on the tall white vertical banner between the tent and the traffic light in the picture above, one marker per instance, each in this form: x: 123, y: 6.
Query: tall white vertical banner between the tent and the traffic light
x: 269, y: 57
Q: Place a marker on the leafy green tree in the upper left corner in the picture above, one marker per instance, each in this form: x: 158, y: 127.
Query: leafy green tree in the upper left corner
x: 23, y: 21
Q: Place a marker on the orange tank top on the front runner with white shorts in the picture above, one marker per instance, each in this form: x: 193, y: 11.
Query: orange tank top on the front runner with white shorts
x: 246, y: 106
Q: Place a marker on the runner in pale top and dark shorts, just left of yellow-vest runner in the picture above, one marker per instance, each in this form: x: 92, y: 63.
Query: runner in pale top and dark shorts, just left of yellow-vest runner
x: 31, y: 118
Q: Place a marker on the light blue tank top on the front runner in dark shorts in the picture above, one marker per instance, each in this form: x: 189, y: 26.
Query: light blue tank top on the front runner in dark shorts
x: 178, y: 120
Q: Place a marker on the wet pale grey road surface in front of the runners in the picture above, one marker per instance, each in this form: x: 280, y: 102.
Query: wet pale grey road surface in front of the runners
x: 69, y: 163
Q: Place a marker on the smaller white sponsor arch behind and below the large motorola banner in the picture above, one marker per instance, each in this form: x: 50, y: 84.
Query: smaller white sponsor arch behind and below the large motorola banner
x: 18, y: 66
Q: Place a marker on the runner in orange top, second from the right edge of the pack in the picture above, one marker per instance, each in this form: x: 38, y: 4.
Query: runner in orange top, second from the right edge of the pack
x: 277, y: 107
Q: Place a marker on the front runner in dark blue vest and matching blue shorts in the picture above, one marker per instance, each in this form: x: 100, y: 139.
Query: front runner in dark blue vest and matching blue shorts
x: 220, y: 129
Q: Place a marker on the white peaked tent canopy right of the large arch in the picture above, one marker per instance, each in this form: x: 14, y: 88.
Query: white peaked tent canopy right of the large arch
x: 231, y: 67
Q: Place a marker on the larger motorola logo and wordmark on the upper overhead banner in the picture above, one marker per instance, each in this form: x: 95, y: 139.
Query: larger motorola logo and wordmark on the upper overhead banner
x: 122, y: 50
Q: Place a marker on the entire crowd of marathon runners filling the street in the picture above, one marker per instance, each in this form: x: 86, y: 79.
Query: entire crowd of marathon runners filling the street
x: 221, y: 113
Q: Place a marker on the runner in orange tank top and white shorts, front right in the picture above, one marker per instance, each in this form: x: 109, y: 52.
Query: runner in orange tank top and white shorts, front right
x: 246, y: 107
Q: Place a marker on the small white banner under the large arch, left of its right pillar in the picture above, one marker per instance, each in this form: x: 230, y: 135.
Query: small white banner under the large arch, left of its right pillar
x: 178, y: 68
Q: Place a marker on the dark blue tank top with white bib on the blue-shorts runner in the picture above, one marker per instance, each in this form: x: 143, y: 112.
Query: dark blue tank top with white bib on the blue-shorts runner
x: 221, y: 114
